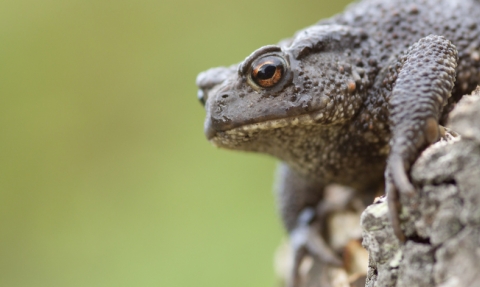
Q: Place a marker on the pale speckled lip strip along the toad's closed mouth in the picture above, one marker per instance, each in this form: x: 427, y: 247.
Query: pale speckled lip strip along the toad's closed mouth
x: 245, y: 132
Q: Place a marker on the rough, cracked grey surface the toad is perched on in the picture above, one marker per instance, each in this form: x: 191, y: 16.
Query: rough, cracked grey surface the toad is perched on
x: 441, y: 220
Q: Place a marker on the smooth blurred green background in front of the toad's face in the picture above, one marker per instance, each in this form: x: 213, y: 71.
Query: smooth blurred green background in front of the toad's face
x: 106, y: 178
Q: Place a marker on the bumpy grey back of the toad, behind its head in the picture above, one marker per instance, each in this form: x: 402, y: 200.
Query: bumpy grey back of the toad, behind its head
x: 397, y: 24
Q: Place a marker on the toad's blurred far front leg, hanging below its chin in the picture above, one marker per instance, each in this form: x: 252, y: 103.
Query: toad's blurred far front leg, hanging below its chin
x: 304, y: 217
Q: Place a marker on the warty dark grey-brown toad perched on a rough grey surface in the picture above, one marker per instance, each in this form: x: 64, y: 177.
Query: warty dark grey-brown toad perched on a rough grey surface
x: 360, y: 94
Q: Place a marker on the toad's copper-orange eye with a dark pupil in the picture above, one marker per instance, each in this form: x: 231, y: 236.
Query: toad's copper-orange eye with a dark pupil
x: 267, y: 71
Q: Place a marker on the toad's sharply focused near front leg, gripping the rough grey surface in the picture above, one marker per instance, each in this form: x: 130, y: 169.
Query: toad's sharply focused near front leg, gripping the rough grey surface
x: 425, y: 77
